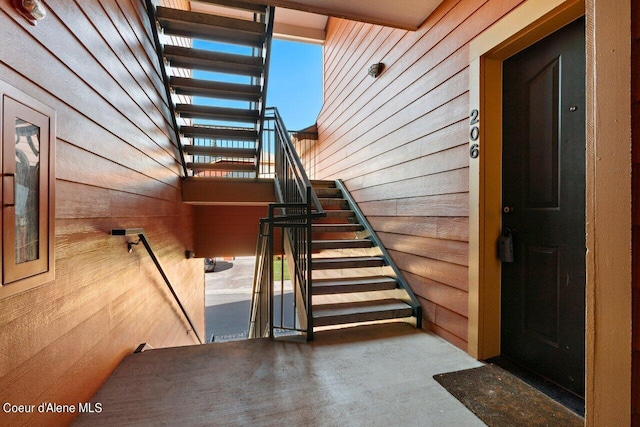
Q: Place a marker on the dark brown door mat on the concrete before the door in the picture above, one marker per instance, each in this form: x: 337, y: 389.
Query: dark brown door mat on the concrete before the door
x: 500, y: 399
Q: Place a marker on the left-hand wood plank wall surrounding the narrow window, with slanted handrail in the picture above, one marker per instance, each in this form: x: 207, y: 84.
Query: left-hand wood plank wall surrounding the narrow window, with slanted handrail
x: 93, y: 62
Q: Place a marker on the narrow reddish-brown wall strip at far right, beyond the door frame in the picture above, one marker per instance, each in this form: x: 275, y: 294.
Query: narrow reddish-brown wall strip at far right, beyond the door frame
x: 635, y: 133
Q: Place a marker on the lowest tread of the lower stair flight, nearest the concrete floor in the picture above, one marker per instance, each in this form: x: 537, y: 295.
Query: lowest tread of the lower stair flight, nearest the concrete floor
x: 361, y: 311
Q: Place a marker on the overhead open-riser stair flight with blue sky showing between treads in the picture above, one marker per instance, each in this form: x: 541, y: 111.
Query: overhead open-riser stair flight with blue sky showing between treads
x: 217, y: 82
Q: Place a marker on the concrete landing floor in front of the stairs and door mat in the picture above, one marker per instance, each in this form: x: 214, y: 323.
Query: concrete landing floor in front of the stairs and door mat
x: 379, y: 375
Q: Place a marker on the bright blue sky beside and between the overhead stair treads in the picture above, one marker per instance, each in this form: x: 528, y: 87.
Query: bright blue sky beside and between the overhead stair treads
x: 295, y: 80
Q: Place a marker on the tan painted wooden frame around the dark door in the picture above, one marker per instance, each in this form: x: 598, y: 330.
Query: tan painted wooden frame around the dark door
x: 608, y: 176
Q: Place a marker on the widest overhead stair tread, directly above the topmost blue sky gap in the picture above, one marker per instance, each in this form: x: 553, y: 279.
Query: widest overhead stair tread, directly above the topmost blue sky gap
x: 210, y: 27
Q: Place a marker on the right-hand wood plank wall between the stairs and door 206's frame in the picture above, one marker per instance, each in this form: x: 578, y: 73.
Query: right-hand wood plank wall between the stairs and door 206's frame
x: 400, y: 144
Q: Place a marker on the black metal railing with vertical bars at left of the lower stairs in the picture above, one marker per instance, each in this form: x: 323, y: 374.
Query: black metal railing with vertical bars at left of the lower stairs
x: 297, y: 206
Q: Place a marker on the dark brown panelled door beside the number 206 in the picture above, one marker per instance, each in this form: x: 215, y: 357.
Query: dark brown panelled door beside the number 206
x: 543, y: 161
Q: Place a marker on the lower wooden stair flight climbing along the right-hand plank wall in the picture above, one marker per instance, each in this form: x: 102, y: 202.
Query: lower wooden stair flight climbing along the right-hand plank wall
x: 353, y: 281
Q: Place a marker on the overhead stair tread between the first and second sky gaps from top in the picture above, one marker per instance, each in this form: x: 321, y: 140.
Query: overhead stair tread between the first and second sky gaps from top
x: 199, y: 59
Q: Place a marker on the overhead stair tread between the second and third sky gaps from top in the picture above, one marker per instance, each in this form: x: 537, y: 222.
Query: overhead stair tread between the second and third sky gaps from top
x: 215, y: 89
